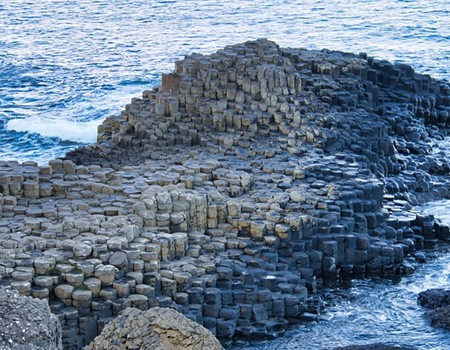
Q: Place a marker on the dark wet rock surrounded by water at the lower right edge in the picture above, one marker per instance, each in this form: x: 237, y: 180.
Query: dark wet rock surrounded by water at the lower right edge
x: 439, y: 301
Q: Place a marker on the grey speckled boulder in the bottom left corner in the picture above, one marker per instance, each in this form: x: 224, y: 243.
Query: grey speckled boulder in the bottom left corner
x: 27, y: 323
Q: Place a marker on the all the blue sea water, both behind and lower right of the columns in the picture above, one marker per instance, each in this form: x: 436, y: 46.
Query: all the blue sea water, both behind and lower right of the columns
x: 65, y: 65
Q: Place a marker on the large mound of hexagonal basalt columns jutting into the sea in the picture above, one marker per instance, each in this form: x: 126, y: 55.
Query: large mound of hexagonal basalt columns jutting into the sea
x: 230, y: 193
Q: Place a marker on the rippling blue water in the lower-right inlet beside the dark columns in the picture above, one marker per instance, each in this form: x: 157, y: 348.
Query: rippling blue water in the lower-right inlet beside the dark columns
x: 377, y: 311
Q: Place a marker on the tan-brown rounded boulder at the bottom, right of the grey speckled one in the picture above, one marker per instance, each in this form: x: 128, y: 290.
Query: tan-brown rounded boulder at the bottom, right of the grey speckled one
x: 157, y: 328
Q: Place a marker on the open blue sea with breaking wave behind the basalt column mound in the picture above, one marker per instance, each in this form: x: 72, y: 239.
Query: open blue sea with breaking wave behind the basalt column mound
x: 72, y: 73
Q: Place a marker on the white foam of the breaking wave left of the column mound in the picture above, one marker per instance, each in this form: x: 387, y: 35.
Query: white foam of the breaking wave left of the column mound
x: 66, y: 130
